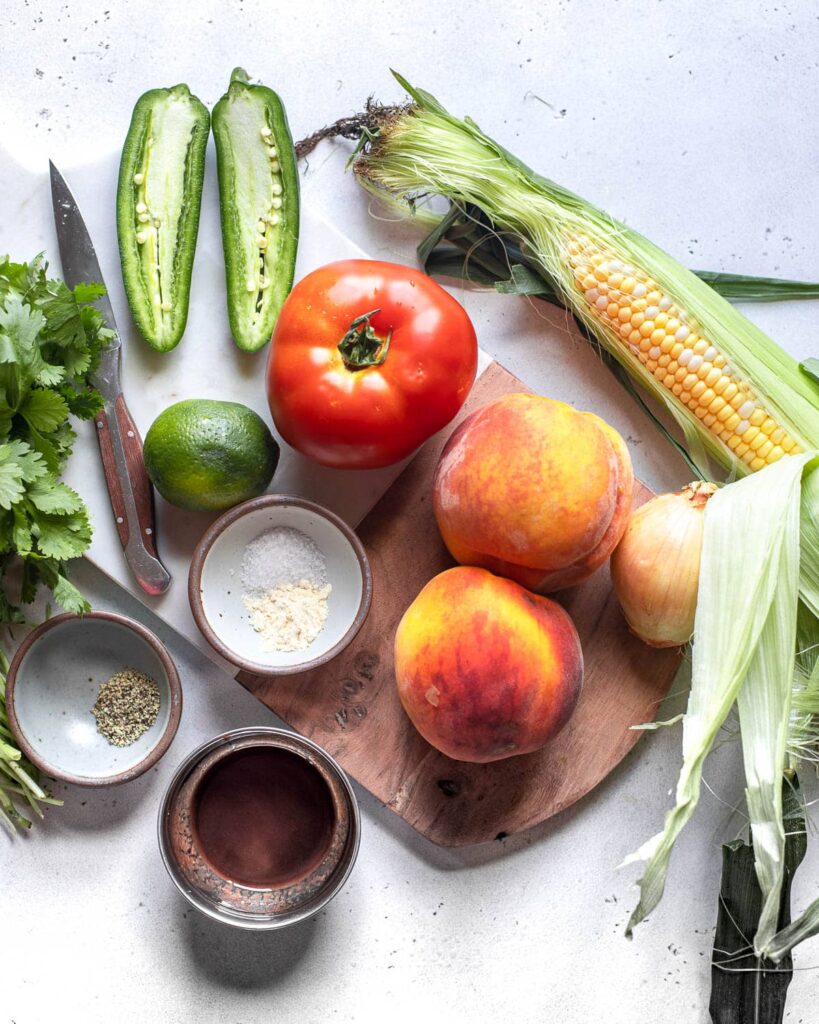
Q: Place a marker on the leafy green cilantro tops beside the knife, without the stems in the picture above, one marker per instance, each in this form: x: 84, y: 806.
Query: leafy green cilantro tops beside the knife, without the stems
x: 52, y: 340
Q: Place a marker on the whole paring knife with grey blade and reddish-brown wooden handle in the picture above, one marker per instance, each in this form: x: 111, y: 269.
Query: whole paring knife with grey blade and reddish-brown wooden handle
x: 120, y: 445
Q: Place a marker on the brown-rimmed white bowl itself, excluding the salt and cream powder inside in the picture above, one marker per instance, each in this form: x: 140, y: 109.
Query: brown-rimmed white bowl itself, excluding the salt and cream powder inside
x: 215, y: 584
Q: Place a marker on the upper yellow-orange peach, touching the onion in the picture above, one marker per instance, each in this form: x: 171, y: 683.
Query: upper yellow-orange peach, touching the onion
x: 533, y: 490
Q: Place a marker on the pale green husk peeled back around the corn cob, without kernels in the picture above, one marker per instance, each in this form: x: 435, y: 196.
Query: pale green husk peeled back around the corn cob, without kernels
x: 759, y: 594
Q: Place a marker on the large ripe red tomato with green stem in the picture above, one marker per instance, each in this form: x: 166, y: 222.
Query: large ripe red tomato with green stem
x: 368, y: 361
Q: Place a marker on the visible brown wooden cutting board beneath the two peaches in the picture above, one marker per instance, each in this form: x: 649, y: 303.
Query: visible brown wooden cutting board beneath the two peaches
x: 352, y: 708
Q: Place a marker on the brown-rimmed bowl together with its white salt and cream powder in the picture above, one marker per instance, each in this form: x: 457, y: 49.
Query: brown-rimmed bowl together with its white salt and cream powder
x: 280, y: 585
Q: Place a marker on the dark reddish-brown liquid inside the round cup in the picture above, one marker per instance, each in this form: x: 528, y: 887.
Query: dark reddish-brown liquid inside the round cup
x: 264, y: 818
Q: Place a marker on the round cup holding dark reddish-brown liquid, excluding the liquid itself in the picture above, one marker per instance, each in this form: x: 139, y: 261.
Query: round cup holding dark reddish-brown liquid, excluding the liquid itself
x: 219, y: 897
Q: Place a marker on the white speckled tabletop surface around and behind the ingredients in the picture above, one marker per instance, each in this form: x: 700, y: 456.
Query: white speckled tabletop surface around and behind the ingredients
x: 696, y: 123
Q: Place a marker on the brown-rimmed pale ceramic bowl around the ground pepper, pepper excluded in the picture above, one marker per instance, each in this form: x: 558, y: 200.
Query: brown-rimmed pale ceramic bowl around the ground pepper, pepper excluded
x: 54, y: 684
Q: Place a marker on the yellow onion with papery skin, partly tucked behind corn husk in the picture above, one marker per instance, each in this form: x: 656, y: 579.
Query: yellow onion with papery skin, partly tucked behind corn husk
x: 656, y: 568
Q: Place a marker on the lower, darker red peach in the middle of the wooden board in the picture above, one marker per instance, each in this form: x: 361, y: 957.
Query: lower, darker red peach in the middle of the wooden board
x: 485, y: 668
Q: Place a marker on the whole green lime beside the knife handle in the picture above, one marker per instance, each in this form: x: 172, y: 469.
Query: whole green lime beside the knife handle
x: 209, y: 456
